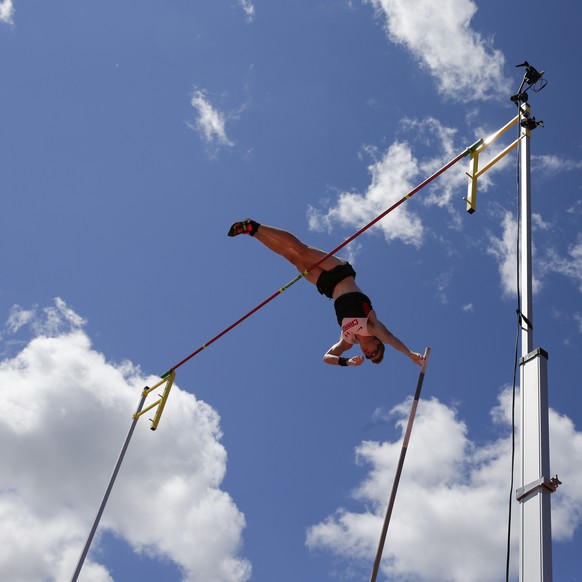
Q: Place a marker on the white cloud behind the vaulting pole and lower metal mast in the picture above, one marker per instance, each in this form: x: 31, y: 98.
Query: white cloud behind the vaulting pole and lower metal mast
x: 451, y: 501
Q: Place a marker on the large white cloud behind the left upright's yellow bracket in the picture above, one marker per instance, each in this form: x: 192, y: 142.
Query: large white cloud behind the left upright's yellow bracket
x: 62, y: 422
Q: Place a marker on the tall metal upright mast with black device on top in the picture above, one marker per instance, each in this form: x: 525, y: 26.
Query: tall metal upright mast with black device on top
x: 533, y: 495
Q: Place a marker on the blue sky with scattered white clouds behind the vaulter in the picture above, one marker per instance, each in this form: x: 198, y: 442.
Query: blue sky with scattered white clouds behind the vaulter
x: 132, y: 136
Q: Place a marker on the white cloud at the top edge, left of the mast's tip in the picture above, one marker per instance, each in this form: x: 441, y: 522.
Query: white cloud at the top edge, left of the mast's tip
x: 439, y: 35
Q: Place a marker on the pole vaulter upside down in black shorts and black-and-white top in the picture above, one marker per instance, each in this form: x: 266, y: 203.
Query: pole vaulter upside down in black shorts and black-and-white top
x: 334, y: 278
